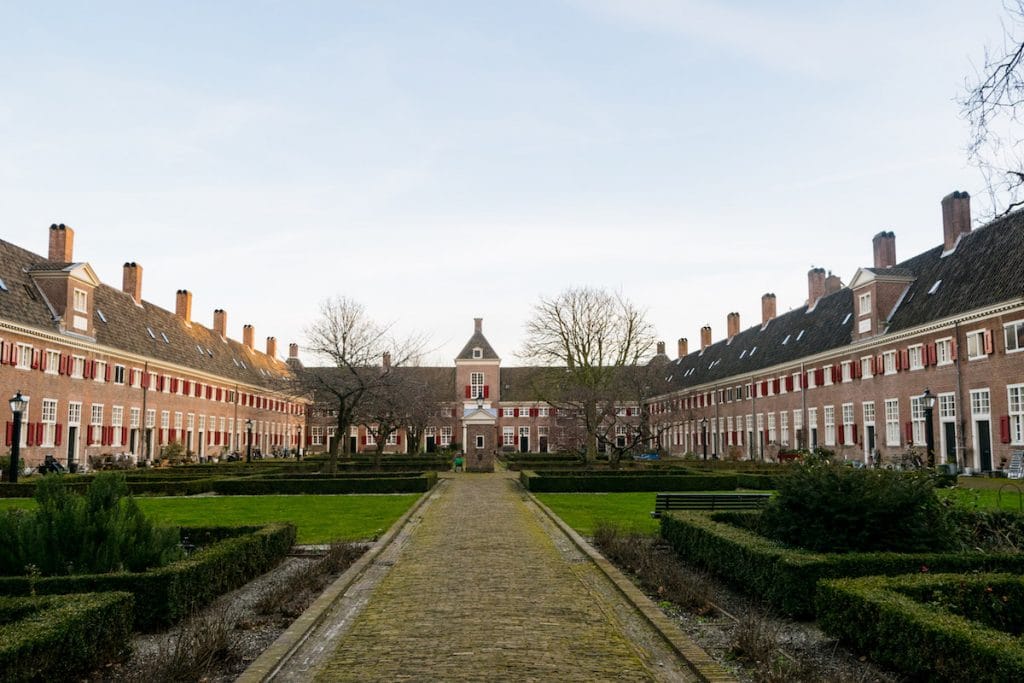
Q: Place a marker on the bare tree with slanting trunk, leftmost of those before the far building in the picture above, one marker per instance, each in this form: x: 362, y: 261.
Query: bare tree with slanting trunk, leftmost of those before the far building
x: 355, y: 348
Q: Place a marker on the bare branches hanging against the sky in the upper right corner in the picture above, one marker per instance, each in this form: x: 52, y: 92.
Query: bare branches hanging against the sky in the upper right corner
x: 993, y: 106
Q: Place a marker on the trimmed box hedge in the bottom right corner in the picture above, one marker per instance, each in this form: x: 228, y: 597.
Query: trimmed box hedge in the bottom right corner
x: 900, y: 623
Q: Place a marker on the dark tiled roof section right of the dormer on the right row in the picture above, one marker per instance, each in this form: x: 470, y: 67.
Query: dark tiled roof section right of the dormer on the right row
x: 987, y: 268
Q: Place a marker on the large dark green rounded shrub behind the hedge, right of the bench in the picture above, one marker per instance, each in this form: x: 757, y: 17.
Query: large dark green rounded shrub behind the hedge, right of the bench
x: 832, y: 508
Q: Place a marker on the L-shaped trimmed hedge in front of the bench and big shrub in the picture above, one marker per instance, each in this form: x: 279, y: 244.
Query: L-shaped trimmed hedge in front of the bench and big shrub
x: 786, y: 578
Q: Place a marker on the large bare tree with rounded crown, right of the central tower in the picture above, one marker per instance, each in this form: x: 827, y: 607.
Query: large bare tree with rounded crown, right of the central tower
x: 587, y: 339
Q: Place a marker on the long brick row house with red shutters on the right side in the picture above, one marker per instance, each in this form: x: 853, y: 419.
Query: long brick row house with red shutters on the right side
x: 849, y: 370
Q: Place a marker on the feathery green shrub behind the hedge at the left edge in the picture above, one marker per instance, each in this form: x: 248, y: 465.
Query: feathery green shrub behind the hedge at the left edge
x: 104, y: 531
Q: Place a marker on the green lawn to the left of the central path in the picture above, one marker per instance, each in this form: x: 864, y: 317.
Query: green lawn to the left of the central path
x: 319, y: 519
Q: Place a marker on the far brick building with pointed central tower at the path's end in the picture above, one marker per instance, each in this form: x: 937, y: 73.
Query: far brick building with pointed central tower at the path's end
x: 489, y: 408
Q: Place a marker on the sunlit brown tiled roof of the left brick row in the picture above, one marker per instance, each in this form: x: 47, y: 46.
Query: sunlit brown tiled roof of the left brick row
x: 126, y: 326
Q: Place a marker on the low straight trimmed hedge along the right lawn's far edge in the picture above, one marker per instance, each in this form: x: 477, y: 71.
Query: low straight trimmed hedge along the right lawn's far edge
x: 618, y: 482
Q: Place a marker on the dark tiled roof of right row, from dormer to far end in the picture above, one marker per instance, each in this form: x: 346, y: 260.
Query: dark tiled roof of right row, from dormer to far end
x: 790, y: 337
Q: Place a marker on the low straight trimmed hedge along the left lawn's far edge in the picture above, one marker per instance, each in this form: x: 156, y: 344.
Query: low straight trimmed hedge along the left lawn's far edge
x: 326, y: 486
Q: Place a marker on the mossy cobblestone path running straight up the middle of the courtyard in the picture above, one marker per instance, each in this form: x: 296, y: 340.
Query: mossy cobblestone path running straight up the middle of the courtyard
x: 482, y: 592
